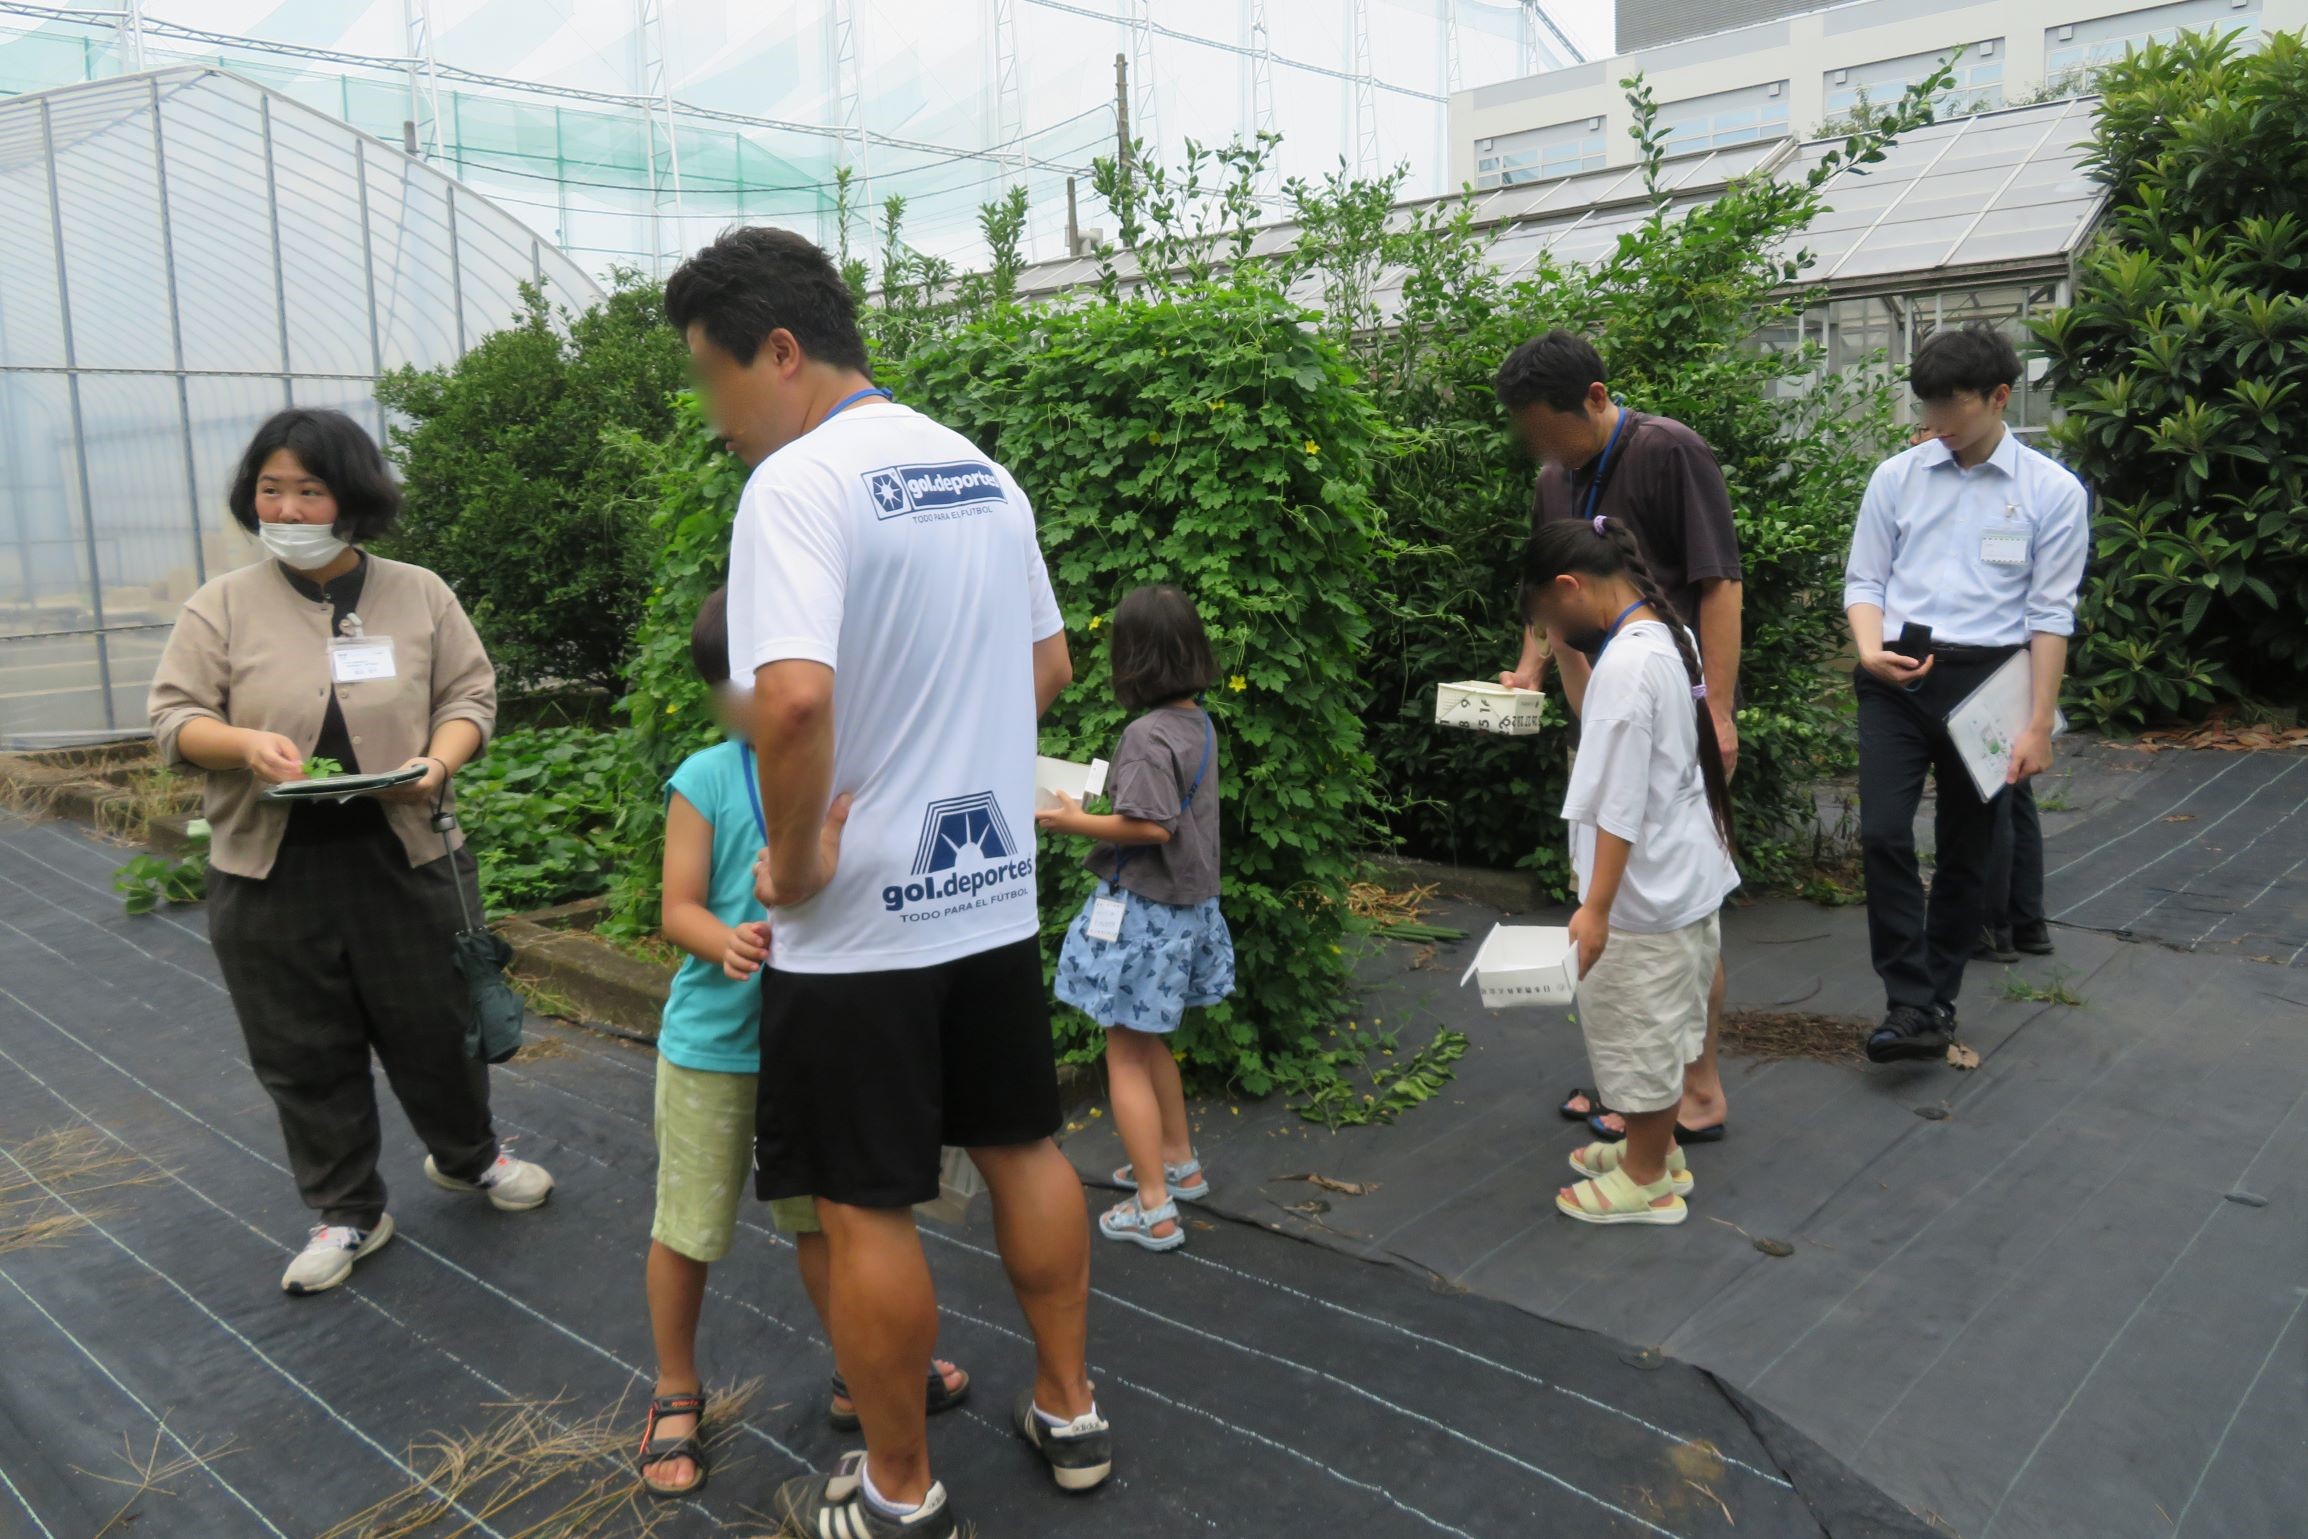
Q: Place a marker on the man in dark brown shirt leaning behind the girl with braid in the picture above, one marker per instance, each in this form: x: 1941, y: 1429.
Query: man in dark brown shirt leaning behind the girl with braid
x: 1658, y: 476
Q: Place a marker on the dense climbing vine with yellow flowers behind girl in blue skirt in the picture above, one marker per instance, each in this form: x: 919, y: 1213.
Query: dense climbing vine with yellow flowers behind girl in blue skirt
x: 1220, y: 444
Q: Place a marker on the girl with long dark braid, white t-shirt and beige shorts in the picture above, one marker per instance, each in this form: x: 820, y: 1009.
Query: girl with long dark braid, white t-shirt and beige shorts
x: 1651, y: 839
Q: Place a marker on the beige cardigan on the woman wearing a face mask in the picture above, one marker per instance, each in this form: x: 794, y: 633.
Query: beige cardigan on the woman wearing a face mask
x: 253, y: 652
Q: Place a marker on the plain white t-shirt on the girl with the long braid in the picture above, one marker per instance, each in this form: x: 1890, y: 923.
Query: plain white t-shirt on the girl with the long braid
x: 1638, y: 776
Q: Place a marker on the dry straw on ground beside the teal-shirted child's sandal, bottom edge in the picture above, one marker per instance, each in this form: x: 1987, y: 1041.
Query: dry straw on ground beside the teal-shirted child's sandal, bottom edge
x: 537, y: 1473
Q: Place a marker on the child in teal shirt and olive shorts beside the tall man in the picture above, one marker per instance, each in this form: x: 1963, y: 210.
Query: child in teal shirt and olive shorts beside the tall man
x: 710, y: 1053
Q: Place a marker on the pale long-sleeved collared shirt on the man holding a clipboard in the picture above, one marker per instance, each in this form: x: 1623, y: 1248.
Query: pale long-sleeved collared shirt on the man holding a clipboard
x: 1986, y: 557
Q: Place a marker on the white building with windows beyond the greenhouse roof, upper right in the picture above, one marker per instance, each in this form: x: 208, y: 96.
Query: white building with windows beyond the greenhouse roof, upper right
x: 1806, y: 68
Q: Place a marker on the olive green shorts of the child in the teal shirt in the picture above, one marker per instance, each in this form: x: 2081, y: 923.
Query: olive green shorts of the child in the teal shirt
x: 705, y: 1164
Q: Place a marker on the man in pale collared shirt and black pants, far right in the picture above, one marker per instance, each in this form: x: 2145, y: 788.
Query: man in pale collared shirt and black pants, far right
x: 1981, y: 541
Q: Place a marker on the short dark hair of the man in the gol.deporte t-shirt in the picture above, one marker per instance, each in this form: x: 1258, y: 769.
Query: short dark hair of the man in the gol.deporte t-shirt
x: 754, y: 283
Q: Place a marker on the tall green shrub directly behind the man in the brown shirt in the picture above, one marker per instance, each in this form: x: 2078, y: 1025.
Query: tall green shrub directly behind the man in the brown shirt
x: 1677, y: 310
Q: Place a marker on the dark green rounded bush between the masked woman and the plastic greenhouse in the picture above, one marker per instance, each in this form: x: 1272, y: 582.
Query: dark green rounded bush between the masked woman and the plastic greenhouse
x: 523, y: 488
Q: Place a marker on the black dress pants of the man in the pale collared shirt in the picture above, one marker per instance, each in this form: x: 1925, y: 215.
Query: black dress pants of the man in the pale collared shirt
x: 1919, y: 945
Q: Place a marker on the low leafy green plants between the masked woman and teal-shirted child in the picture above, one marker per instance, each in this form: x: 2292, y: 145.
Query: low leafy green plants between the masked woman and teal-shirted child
x: 537, y: 811
